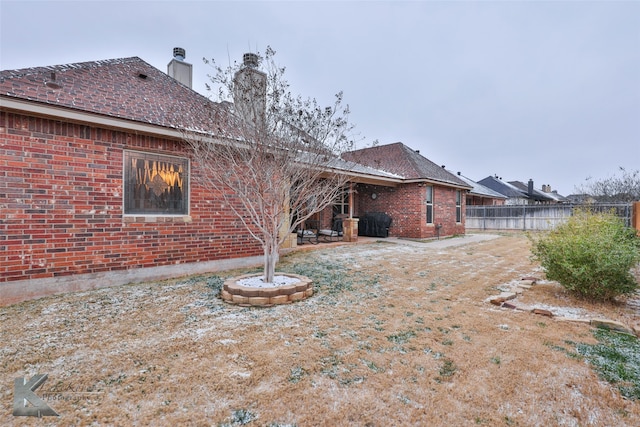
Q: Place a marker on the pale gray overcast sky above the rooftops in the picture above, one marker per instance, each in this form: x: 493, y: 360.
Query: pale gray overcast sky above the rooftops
x: 548, y: 90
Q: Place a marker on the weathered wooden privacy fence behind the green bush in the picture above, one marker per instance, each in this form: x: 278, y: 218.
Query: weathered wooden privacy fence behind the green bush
x: 536, y: 217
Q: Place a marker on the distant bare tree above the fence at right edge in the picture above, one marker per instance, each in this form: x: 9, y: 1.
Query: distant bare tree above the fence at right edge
x: 619, y: 188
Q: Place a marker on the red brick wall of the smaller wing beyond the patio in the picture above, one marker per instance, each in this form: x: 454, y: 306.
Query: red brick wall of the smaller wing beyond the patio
x: 407, y: 207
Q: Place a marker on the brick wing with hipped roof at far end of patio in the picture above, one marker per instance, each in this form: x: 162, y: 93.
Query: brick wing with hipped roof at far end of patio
x: 428, y: 202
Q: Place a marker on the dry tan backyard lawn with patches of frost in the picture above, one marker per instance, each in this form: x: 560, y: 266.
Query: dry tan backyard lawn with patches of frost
x: 396, y: 334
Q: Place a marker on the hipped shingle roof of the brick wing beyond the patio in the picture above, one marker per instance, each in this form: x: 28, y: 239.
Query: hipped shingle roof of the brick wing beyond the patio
x: 405, y: 162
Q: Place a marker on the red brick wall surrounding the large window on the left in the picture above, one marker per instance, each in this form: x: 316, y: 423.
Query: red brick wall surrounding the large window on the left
x: 61, y: 198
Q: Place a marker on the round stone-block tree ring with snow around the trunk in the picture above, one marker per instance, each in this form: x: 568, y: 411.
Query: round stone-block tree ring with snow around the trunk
x: 298, y: 288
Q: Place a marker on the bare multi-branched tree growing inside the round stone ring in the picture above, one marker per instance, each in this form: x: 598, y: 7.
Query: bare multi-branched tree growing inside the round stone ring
x: 270, y: 153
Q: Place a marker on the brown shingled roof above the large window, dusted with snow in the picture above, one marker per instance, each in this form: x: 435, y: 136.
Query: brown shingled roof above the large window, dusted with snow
x: 126, y: 88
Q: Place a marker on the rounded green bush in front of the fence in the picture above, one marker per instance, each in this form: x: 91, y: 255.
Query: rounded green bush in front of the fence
x: 591, y: 255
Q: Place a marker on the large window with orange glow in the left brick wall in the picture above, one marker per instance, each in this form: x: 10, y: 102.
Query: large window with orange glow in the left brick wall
x: 155, y: 184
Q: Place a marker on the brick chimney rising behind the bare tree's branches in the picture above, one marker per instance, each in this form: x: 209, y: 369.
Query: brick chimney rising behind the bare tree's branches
x: 250, y: 91
